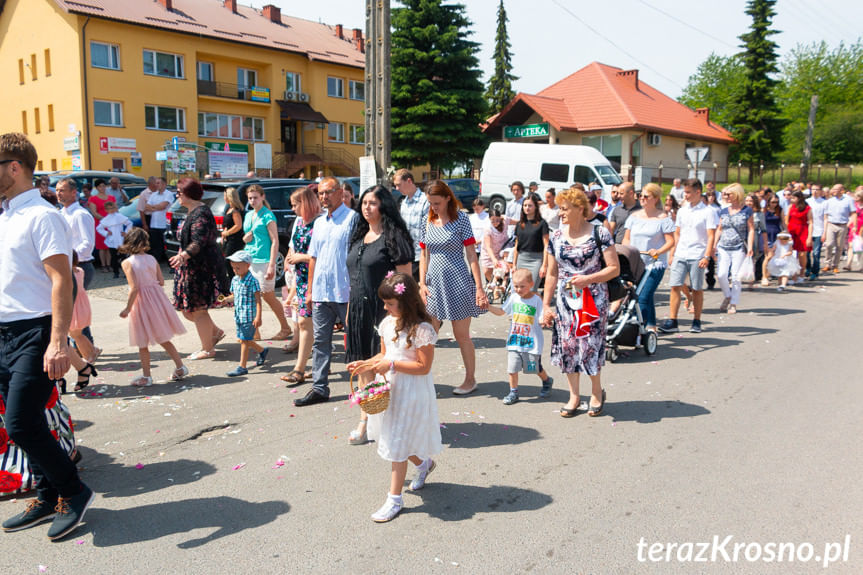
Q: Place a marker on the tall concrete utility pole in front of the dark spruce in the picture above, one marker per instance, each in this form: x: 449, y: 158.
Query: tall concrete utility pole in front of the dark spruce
x: 378, y: 84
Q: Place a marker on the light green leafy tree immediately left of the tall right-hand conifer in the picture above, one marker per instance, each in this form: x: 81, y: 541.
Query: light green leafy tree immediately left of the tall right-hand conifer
x: 718, y: 85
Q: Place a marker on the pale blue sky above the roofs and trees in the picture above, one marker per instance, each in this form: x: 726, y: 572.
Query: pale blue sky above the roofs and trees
x: 665, y: 39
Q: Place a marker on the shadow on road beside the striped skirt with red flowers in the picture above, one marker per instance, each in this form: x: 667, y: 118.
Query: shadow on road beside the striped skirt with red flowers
x: 114, y: 479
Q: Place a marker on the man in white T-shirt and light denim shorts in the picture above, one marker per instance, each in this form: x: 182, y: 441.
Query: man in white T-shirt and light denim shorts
x: 694, y: 241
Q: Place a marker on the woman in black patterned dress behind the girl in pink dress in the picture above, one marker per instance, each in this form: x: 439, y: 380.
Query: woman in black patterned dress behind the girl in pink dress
x: 199, y: 267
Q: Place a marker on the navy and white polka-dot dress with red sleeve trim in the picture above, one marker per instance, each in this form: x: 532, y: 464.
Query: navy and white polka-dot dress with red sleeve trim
x: 452, y: 289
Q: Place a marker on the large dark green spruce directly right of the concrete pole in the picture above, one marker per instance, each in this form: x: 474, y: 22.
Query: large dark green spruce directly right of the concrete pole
x: 437, y: 91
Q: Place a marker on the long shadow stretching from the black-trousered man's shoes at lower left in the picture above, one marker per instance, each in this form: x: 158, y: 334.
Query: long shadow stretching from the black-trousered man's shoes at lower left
x: 225, y: 515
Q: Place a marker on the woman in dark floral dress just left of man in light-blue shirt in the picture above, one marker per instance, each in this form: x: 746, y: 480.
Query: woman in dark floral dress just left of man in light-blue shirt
x: 307, y: 207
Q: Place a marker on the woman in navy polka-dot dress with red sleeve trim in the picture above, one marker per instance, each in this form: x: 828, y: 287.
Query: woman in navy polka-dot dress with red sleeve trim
x: 451, y: 288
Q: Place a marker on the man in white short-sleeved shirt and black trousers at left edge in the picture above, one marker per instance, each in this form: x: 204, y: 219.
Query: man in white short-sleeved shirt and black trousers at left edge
x: 35, y: 311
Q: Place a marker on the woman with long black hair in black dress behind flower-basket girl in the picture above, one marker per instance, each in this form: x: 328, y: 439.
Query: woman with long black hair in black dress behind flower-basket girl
x: 379, y: 245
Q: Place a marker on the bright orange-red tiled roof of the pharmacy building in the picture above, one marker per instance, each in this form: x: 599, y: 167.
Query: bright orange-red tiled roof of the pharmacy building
x: 600, y: 97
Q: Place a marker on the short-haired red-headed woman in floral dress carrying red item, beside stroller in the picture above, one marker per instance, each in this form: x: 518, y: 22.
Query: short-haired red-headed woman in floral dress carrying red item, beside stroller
x: 576, y: 264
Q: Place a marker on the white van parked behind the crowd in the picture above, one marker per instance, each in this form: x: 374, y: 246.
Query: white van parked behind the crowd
x: 550, y: 165
